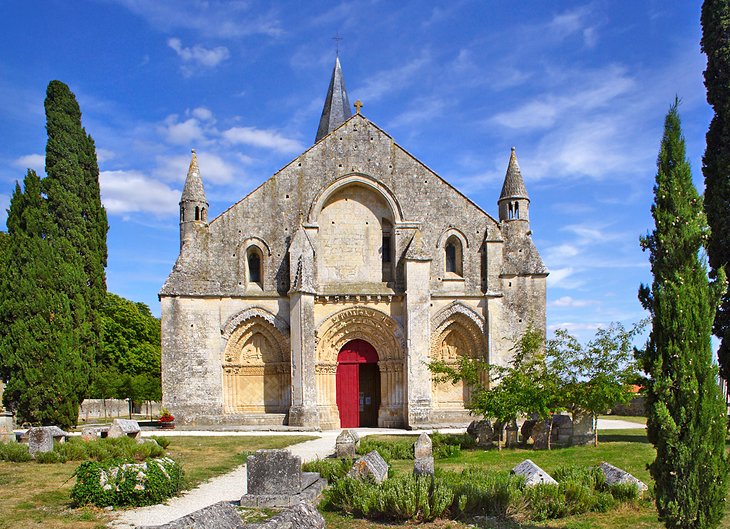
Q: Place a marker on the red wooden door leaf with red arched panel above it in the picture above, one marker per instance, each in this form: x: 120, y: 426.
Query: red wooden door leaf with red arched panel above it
x: 349, y: 359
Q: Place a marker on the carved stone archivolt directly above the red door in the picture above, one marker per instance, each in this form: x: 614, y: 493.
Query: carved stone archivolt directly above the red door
x: 363, y: 323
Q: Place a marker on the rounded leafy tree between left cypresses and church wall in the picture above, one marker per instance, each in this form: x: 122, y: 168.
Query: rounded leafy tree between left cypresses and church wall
x: 128, y: 365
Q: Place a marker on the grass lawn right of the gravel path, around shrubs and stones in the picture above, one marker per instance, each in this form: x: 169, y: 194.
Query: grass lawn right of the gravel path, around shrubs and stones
x: 627, y: 449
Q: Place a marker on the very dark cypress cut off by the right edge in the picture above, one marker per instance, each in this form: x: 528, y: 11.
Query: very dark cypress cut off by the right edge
x: 716, y: 162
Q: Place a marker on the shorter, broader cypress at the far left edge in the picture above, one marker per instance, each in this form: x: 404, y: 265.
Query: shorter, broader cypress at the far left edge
x: 39, y: 347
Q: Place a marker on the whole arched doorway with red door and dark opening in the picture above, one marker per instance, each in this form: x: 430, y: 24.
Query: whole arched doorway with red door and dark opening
x: 358, y: 385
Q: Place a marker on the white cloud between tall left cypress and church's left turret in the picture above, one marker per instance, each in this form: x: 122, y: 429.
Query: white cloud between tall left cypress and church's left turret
x: 132, y: 191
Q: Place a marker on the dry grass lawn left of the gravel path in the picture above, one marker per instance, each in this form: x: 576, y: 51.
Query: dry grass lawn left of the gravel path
x: 33, y: 495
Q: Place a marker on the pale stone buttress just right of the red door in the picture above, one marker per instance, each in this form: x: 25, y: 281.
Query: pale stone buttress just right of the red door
x: 418, y: 330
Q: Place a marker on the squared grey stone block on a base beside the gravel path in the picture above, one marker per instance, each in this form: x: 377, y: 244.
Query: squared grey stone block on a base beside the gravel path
x: 274, y: 472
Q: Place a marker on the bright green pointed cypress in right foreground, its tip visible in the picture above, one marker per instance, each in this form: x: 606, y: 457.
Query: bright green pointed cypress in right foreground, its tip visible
x: 686, y: 420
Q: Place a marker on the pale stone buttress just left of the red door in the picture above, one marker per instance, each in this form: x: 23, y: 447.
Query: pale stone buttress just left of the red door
x: 303, y: 411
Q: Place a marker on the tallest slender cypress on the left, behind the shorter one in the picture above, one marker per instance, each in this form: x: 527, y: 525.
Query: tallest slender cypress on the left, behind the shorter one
x: 74, y: 205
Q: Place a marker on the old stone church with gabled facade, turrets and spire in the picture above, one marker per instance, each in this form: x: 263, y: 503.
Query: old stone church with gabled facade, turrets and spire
x: 319, y: 299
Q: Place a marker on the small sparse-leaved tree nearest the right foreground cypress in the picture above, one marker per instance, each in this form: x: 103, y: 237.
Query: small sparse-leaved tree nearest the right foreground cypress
x: 594, y: 378
